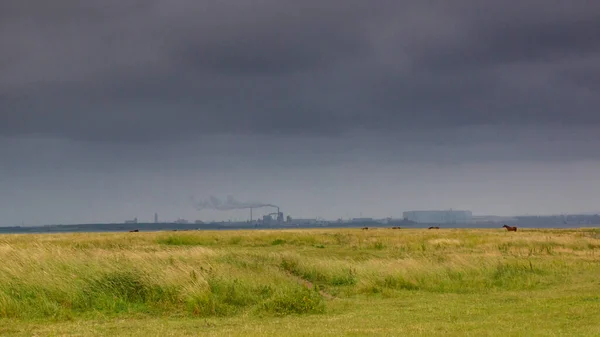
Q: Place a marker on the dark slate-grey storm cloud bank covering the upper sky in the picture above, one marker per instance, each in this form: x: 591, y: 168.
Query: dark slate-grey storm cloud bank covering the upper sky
x: 138, y: 70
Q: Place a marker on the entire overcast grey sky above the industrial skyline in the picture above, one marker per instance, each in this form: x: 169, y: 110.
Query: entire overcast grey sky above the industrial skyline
x: 116, y: 109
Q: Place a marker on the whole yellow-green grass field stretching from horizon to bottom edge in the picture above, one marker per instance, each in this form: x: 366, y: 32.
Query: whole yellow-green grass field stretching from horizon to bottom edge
x: 302, y: 282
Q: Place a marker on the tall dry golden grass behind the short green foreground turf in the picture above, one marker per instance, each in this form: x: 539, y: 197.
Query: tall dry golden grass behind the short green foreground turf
x: 219, y: 273
